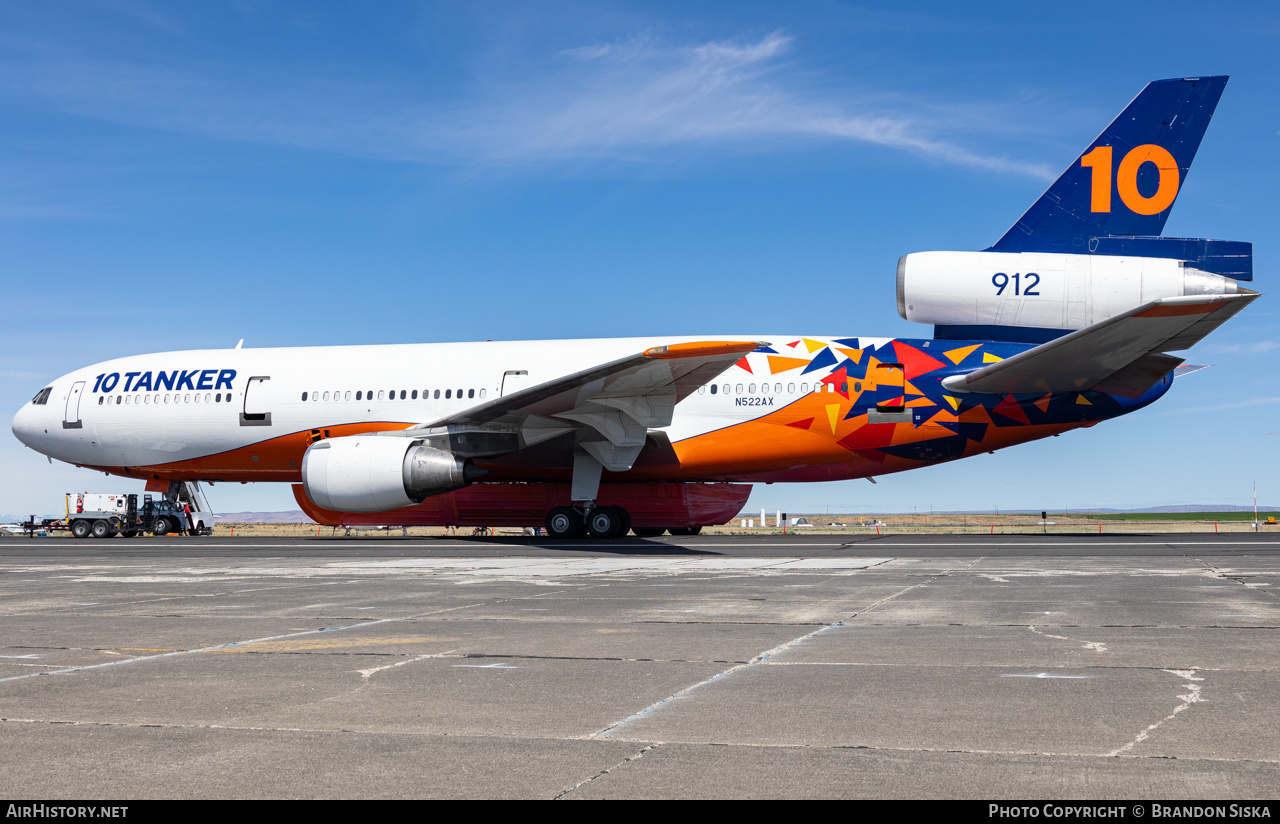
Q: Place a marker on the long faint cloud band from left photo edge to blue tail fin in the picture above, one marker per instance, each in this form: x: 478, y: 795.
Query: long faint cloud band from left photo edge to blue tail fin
x: 639, y: 99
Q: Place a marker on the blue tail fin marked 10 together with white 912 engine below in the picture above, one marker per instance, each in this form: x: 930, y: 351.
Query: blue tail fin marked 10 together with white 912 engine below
x: 1089, y: 250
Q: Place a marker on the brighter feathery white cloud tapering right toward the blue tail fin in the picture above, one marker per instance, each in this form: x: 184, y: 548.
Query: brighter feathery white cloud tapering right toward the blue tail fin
x: 623, y: 99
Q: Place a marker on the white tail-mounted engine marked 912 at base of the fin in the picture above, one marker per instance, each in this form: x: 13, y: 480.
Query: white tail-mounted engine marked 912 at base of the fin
x: 1039, y: 290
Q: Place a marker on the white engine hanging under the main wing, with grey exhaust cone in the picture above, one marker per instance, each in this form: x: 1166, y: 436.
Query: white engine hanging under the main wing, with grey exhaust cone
x: 376, y: 474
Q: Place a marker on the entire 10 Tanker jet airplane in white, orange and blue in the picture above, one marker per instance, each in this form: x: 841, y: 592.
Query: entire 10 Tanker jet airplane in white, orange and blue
x: 1066, y: 322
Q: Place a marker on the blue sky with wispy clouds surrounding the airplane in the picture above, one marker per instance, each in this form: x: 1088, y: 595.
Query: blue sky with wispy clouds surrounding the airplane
x: 184, y: 176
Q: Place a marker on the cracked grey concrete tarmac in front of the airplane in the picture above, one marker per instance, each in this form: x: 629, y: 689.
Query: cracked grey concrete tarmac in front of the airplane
x: 931, y: 667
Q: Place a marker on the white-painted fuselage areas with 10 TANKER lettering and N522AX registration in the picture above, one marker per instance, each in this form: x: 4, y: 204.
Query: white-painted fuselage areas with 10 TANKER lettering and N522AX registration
x: 173, y: 408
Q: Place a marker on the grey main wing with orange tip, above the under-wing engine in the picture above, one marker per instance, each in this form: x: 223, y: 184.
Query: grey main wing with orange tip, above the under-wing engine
x: 611, y: 406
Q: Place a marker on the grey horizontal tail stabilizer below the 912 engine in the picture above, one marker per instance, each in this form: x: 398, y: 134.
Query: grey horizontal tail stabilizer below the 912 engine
x: 1123, y: 355
